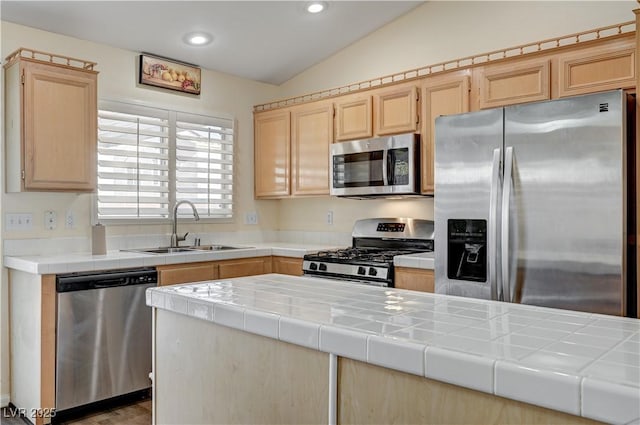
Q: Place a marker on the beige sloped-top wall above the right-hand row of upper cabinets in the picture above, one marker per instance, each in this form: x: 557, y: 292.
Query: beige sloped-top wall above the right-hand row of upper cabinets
x: 438, y: 31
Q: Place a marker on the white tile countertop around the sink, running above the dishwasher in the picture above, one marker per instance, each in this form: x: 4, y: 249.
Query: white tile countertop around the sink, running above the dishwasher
x: 80, y: 262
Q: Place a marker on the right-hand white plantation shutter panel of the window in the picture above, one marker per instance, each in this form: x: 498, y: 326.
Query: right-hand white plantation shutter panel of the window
x: 204, y: 164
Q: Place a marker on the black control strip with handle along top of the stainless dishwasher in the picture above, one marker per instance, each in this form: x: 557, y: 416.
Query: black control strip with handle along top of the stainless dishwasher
x: 105, y: 279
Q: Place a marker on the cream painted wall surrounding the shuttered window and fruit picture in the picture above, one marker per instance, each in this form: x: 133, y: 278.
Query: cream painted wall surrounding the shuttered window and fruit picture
x: 221, y: 94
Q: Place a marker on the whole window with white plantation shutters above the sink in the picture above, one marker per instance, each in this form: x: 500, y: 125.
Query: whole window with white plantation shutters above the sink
x: 149, y: 158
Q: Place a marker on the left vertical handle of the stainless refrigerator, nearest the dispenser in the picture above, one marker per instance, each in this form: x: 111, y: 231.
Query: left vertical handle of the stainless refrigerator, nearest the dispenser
x: 496, y: 291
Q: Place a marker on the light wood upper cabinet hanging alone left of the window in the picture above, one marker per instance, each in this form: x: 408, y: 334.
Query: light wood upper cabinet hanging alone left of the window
x: 51, y: 126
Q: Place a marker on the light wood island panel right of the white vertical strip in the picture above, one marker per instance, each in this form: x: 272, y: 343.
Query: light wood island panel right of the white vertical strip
x: 373, y: 394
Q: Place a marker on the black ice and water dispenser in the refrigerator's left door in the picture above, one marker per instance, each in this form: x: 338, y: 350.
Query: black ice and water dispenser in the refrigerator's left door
x: 467, y: 250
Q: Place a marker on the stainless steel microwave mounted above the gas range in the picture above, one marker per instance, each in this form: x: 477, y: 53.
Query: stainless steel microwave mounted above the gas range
x: 384, y: 166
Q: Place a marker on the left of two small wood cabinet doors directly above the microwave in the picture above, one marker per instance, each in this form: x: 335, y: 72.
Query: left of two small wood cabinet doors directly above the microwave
x: 353, y: 118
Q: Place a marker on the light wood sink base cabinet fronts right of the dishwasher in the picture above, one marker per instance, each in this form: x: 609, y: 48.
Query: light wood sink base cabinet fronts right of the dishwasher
x: 194, y: 272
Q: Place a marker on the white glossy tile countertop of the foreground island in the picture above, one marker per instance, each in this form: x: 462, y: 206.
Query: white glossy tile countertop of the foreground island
x: 579, y: 363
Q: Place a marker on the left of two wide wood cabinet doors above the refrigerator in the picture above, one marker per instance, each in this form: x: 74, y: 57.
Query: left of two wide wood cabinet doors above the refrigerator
x: 526, y: 81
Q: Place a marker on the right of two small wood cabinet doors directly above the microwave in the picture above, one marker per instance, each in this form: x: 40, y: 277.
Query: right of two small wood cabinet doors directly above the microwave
x: 396, y: 110
